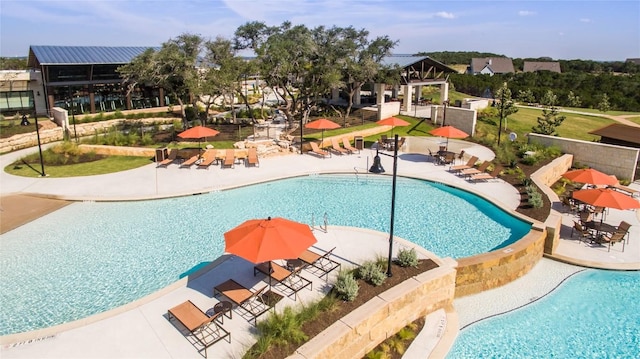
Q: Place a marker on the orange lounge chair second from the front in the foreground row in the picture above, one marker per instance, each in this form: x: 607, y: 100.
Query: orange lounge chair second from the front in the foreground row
x: 252, y: 302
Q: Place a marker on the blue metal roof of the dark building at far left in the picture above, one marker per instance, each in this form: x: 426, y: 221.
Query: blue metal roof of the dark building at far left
x: 76, y: 55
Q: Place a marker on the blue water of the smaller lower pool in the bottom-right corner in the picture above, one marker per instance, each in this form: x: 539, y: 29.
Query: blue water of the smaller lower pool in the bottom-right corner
x: 594, y: 314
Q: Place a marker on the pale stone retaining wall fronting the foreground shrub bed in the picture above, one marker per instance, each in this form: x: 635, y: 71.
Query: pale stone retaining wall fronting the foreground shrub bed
x: 363, y: 329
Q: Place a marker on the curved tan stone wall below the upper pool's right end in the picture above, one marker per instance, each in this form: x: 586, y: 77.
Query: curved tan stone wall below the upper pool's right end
x: 490, y: 270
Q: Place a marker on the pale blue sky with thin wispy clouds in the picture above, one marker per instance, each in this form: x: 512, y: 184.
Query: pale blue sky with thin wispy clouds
x: 561, y: 30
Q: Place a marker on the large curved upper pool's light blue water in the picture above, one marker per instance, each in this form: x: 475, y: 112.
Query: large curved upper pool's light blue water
x: 87, y: 258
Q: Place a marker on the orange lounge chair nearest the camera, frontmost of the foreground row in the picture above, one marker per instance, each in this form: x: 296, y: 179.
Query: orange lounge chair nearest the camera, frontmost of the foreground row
x: 203, y: 327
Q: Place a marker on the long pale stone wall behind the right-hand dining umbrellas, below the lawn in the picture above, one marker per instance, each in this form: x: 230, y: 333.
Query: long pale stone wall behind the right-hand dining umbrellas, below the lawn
x: 617, y: 160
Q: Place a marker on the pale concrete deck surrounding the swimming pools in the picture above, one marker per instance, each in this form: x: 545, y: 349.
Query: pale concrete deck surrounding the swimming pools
x: 141, y: 329
